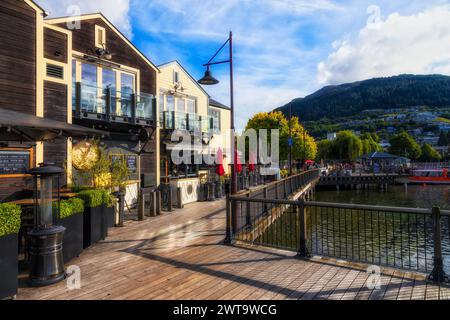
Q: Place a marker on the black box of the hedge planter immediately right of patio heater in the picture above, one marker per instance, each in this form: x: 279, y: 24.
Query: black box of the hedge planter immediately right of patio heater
x: 73, y: 236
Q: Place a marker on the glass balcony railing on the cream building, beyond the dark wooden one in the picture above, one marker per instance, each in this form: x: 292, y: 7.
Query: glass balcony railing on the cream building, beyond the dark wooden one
x: 171, y: 120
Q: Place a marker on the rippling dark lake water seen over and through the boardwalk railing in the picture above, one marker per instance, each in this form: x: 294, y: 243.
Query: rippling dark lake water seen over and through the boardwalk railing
x: 376, y: 237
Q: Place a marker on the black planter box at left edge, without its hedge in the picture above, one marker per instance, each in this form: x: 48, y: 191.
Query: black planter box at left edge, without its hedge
x: 8, y: 265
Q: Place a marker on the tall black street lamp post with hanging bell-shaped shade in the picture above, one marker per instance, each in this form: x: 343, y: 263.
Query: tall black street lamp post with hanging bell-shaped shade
x: 208, y: 79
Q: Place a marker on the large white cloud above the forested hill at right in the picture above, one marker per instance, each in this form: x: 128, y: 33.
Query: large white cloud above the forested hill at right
x: 418, y: 44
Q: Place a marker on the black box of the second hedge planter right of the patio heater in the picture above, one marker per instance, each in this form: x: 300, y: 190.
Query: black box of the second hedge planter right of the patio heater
x: 93, y: 225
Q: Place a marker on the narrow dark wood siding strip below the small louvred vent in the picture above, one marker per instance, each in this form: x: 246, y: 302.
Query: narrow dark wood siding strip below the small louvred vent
x: 55, y: 108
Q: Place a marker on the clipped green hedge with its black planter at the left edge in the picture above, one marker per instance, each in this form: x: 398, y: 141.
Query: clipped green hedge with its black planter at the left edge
x: 9, y: 228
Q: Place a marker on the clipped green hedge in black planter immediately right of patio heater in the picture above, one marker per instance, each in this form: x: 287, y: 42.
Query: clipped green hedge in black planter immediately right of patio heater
x: 71, y: 217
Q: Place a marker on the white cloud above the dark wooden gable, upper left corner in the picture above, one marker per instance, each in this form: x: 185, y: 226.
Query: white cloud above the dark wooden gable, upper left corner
x: 117, y: 11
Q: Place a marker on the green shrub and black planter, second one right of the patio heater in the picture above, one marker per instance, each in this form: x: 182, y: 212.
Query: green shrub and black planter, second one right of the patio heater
x: 93, y: 218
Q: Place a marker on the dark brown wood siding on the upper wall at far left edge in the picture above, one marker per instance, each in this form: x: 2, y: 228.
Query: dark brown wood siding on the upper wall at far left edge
x: 17, y: 56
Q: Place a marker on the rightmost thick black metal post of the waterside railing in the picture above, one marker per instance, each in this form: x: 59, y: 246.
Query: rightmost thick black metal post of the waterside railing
x: 438, y: 274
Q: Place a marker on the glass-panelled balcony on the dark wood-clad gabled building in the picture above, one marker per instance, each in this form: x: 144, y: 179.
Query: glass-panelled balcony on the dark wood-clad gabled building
x: 90, y: 102
